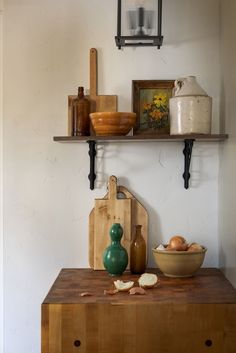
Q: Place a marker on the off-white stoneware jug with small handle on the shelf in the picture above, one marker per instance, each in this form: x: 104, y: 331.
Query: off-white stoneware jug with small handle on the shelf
x: 190, y: 108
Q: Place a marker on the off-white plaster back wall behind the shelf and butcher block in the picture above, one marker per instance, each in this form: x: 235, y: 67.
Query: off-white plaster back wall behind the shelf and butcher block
x: 46, y: 193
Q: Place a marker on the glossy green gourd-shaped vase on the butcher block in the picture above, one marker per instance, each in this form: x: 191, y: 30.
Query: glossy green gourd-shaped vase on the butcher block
x: 115, y: 256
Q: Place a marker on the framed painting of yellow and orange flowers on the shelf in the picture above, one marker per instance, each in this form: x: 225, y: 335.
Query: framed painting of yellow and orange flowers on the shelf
x: 151, y: 104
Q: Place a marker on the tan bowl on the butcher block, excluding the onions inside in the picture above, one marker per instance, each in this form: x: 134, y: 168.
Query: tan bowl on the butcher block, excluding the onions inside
x: 179, y: 263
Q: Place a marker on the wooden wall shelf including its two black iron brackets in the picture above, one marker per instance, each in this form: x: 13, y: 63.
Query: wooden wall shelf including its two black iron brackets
x: 187, y: 151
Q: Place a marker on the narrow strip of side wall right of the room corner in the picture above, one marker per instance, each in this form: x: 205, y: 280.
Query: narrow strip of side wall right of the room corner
x: 227, y: 176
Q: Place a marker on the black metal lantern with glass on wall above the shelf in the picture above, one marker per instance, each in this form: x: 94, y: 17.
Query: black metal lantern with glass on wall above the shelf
x: 139, y: 23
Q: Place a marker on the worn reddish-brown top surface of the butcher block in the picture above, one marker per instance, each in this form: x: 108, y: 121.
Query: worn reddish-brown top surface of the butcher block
x: 208, y: 286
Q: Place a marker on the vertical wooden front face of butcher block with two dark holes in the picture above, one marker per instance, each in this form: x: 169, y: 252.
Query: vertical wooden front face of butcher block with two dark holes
x: 122, y: 328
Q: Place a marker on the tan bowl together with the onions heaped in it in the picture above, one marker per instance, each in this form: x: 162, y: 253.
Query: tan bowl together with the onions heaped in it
x: 179, y: 263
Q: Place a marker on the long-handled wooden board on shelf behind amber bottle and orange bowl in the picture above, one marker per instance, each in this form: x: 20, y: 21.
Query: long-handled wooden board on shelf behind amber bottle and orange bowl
x: 98, y: 103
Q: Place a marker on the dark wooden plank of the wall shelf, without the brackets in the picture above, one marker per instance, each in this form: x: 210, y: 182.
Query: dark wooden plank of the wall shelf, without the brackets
x: 140, y: 138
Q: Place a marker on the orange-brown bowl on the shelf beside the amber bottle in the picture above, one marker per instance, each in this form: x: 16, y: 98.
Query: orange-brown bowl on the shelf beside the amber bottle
x: 112, y: 123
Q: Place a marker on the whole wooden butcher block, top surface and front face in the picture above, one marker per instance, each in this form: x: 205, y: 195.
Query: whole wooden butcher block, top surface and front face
x: 192, y: 315
